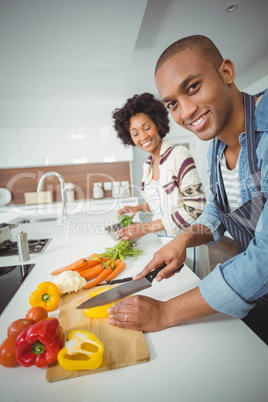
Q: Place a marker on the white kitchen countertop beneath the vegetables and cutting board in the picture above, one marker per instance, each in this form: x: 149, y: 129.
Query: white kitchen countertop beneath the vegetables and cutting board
x: 213, y: 359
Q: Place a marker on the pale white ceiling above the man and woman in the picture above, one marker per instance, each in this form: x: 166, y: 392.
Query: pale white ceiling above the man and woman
x: 72, y: 49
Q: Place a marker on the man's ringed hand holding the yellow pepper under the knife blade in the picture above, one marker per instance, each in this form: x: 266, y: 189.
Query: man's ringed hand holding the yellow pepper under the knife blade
x: 138, y: 313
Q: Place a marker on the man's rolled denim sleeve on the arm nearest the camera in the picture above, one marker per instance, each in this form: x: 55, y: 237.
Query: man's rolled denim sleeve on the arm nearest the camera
x: 234, y: 287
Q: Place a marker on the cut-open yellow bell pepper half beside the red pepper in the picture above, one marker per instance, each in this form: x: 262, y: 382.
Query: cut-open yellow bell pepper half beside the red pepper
x: 82, y: 351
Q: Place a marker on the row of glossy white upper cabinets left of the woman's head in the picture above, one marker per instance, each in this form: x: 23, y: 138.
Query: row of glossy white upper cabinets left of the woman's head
x: 50, y: 146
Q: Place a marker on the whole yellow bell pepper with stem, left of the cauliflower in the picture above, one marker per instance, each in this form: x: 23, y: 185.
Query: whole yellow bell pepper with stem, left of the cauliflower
x: 46, y: 295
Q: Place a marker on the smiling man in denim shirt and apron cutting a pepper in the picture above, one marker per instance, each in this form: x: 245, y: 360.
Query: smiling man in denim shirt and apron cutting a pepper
x: 197, y: 86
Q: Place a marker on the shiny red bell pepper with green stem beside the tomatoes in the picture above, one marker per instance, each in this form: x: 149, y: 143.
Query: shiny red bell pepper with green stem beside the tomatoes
x: 39, y: 344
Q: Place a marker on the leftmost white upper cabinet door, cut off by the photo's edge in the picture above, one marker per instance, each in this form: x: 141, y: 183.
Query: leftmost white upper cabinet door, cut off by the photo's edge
x: 9, y: 148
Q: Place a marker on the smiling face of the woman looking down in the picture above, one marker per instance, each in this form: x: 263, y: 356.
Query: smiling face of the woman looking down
x: 144, y: 133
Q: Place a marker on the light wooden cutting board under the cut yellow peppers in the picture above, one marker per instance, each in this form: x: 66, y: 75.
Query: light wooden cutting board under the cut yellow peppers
x: 122, y: 347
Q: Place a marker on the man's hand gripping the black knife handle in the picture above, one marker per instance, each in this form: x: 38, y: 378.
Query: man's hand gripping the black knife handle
x: 172, y: 255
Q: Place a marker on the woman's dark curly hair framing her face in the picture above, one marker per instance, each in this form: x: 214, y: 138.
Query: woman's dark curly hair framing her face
x: 145, y: 103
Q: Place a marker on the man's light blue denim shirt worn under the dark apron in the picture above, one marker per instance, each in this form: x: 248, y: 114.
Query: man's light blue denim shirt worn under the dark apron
x: 234, y: 286
